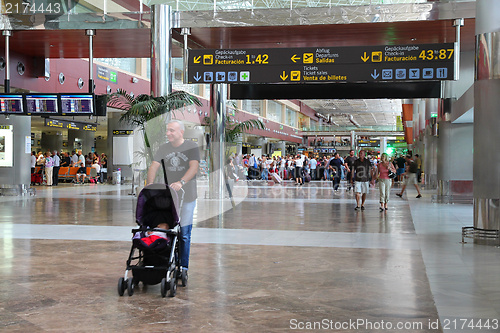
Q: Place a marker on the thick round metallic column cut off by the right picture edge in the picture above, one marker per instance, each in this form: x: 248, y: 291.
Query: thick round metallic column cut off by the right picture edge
x: 486, y: 119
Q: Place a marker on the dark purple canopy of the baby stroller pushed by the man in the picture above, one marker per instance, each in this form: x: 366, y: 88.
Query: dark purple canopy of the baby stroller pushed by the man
x: 155, y: 205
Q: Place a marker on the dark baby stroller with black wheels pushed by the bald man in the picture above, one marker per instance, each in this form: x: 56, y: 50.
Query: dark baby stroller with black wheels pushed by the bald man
x: 154, y: 260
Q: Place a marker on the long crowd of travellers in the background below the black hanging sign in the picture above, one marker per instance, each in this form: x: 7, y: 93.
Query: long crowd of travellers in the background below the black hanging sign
x: 360, y: 172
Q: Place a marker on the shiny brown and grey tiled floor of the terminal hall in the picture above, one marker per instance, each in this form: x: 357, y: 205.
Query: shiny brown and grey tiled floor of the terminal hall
x: 286, y: 258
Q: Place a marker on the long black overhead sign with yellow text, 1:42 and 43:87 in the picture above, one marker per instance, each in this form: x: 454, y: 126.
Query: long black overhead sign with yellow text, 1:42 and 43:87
x: 385, y: 63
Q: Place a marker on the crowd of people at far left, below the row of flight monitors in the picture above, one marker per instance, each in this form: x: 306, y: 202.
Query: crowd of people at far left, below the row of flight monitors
x: 50, y: 162
